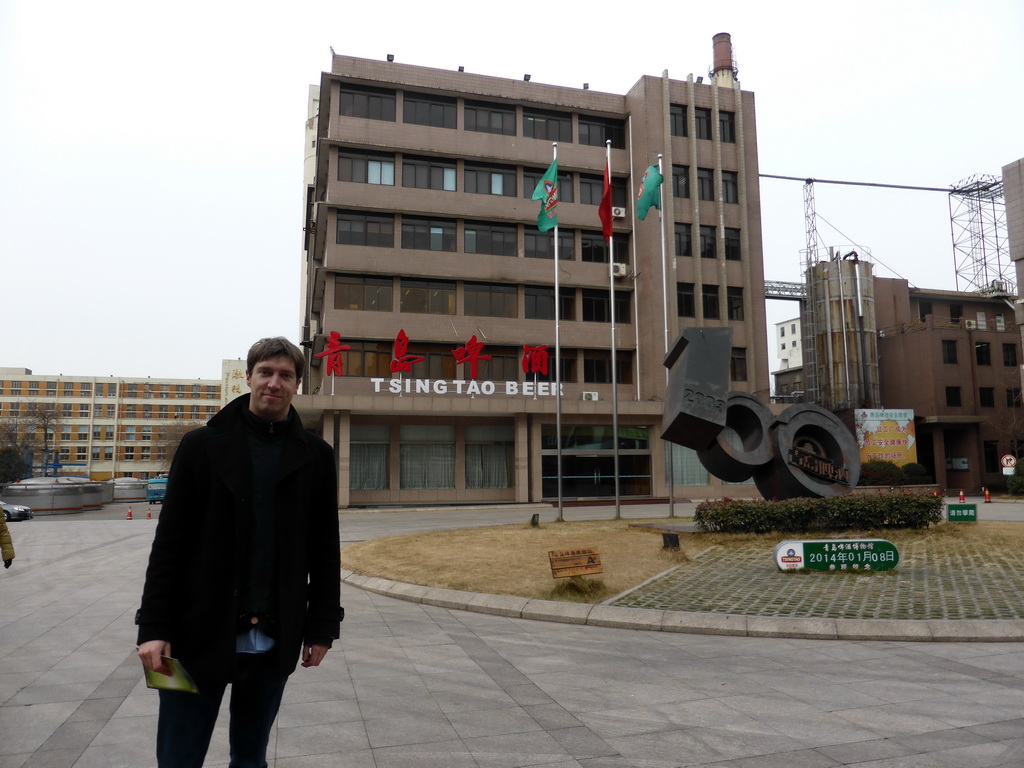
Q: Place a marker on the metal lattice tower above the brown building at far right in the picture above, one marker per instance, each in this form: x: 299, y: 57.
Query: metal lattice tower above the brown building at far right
x: 982, y: 250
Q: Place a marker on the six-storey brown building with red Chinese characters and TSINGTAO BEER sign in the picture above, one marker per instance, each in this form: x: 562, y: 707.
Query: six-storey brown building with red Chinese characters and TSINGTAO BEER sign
x: 423, y: 245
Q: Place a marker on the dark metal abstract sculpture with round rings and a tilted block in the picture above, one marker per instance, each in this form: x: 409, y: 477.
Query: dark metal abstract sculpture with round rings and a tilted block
x: 804, y: 452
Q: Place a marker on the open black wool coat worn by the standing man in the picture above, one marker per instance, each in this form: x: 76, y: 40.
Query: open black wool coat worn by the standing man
x: 200, y: 553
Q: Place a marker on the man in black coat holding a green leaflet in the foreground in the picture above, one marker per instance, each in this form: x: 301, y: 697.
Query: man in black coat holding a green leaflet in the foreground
x: 244, y: 575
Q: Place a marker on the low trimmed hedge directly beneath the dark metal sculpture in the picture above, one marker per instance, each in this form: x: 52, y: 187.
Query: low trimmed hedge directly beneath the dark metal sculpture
x: 863, y: 513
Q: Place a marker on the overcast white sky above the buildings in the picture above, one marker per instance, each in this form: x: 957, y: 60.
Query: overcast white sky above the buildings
x: 151, y: 155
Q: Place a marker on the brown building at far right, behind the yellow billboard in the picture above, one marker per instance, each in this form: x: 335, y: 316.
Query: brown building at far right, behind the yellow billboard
x: 955, y: 359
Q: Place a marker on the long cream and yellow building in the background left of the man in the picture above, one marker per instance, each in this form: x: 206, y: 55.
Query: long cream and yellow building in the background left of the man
x: 103, y: 428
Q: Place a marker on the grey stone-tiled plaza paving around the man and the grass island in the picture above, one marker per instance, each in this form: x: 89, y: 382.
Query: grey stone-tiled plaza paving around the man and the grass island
x: 412, y: 685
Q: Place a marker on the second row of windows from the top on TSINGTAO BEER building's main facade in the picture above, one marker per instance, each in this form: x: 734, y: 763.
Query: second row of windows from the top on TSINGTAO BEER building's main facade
x: 479, y: 179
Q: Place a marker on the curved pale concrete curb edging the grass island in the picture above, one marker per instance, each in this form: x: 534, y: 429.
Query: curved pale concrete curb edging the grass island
x: 697, y: 623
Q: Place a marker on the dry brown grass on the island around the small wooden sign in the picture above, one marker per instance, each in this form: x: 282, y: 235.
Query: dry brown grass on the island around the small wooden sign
x: 514, y: 560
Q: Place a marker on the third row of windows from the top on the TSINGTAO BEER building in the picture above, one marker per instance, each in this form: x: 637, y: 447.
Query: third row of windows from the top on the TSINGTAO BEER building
x: 355, y: 229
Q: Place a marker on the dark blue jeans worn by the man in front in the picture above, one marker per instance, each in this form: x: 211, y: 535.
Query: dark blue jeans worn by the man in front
x: 187, y: 720
